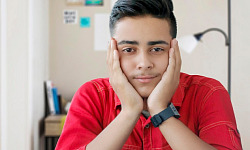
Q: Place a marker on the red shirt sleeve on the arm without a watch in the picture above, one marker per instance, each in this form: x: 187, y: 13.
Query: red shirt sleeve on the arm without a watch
x: 84, y: 119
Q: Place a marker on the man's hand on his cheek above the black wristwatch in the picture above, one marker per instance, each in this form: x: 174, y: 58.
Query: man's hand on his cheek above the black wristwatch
x: 161, y: 96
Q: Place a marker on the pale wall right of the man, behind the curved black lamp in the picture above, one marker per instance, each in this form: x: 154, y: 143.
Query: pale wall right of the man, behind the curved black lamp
x: 210, y: 57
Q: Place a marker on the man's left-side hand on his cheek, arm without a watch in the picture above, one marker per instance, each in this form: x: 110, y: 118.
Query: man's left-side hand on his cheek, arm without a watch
x: 131, y: 101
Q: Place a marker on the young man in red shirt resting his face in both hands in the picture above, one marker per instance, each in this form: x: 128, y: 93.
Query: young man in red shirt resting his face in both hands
x: 135, y: 108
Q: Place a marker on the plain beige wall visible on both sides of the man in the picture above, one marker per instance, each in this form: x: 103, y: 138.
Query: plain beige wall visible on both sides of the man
x: 71, y: 46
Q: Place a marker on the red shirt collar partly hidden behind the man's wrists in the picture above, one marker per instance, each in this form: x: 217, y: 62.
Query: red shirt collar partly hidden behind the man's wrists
x: 177, y: 98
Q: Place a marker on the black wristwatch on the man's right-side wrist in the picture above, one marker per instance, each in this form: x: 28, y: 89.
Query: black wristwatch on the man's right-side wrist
x: 170, y: 111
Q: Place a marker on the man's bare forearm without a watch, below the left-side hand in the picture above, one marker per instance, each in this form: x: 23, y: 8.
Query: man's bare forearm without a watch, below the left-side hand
x: 115, y: 135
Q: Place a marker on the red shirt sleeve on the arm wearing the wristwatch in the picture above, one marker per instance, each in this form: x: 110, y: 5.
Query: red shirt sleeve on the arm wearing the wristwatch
x: 217, y: 125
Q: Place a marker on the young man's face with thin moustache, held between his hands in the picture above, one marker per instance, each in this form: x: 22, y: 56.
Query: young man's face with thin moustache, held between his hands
x: 143, y: 44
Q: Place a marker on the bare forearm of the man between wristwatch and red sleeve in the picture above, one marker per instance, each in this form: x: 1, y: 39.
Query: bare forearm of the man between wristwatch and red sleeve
x: 181, y: 137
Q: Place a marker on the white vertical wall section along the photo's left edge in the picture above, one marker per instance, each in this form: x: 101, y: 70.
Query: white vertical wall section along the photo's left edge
x: 24, y: 67
